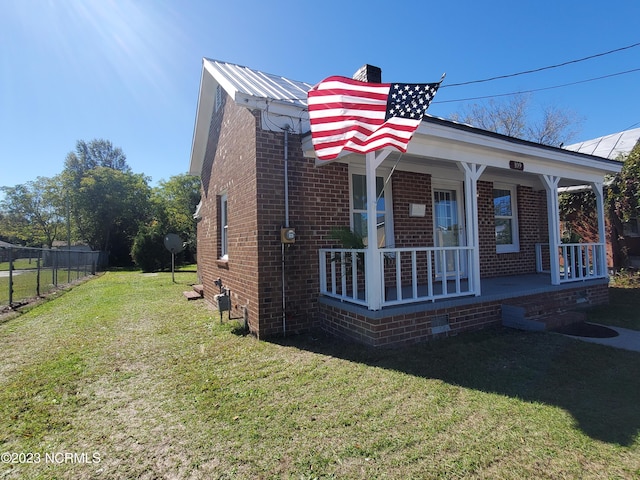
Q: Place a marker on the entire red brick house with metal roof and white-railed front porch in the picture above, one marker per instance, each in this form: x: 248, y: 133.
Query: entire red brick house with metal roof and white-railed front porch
x: 456, y: 230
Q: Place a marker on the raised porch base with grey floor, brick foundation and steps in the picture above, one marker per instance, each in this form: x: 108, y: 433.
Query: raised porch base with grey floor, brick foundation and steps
x: 528, y: 302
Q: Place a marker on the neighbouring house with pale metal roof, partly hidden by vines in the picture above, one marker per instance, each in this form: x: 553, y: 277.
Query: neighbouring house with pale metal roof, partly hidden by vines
x: 614, y: 147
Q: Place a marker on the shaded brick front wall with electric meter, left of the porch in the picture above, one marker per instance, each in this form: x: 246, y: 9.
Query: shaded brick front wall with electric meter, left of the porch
x: 318, y: 201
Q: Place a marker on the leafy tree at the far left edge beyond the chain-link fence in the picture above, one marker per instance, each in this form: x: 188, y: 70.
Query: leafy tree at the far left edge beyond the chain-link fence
x: 34, y: 212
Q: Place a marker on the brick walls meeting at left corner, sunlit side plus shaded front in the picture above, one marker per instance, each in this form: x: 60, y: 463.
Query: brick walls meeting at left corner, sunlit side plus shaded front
x: 247, y: 163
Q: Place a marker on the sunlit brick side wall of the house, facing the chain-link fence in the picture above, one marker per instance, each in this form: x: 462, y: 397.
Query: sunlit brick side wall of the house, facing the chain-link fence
x: 229, y: 168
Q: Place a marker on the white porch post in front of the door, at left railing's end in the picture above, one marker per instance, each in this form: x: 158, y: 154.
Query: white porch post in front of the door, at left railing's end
x: 472, y: 172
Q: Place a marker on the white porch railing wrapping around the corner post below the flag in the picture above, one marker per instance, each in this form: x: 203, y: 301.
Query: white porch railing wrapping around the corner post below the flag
x: 409, y: 275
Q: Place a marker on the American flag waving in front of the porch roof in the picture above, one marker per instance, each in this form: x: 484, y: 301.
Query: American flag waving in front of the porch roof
x: 362, y: 117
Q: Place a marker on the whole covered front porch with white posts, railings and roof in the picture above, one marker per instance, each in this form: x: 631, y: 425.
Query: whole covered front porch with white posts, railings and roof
x: 487, y: 228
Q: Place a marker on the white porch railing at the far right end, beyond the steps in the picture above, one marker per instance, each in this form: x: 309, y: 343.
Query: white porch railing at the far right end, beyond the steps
x: 578, y: 261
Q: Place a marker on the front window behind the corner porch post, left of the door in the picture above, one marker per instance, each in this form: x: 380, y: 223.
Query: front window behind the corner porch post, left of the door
x: 383, y: 209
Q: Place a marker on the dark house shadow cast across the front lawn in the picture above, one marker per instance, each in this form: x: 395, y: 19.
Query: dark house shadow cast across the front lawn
x: 597, y: 385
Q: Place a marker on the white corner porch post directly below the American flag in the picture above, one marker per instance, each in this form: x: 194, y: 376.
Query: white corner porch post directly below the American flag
x: 373, y: 267
